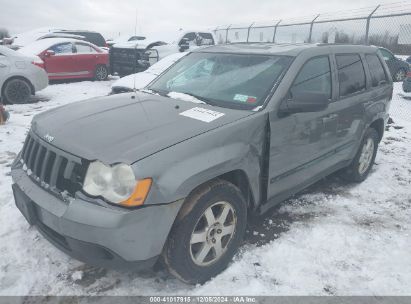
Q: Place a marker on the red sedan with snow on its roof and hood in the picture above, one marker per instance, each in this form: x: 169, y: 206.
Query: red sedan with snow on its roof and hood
x: 70, y: 58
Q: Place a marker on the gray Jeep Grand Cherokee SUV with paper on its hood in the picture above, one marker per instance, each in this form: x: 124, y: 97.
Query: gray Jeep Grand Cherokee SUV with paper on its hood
x: 174, y: 170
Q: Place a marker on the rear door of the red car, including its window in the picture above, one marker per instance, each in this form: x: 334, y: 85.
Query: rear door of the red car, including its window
x: 85, y: 59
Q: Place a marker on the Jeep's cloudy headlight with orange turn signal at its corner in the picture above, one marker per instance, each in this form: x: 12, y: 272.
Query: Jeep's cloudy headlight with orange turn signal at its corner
x: 116, y: 184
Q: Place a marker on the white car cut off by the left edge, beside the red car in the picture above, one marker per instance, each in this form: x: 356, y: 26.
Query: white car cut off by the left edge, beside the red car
x: 20, y: 76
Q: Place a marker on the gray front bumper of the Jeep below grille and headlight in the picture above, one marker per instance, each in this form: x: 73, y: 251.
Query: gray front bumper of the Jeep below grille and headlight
x: 95, y: 234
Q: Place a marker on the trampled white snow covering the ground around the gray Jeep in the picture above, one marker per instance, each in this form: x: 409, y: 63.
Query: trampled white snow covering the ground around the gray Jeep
x: 333, y: 239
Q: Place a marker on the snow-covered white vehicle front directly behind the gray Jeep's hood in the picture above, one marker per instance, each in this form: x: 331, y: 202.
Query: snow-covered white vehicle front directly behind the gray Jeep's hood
x: 140, y: 80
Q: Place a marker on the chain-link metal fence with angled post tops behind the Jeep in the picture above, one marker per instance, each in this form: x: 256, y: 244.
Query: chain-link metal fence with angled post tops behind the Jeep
x: 387, y: 25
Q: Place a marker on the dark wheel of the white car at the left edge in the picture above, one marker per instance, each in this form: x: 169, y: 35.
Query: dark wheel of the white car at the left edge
x: 16, y: 91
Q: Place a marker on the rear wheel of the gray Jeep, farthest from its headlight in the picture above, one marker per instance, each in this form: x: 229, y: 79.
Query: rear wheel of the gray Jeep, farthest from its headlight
x: 362, y: 164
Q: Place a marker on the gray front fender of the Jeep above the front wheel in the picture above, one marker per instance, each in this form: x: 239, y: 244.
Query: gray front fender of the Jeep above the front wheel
x: 179, y: 169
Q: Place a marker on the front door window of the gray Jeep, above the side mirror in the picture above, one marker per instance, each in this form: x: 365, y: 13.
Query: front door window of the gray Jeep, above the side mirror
x: 314, y: 77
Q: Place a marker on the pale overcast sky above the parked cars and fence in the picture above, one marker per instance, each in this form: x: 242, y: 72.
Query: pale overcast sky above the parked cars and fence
x: 111, y: 17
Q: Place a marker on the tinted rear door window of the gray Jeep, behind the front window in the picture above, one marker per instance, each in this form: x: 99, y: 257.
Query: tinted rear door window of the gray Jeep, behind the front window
x: 351, y: 75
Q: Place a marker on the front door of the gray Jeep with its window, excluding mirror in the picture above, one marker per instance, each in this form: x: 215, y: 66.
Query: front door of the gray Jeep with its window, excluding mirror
x: 302, y: 144
